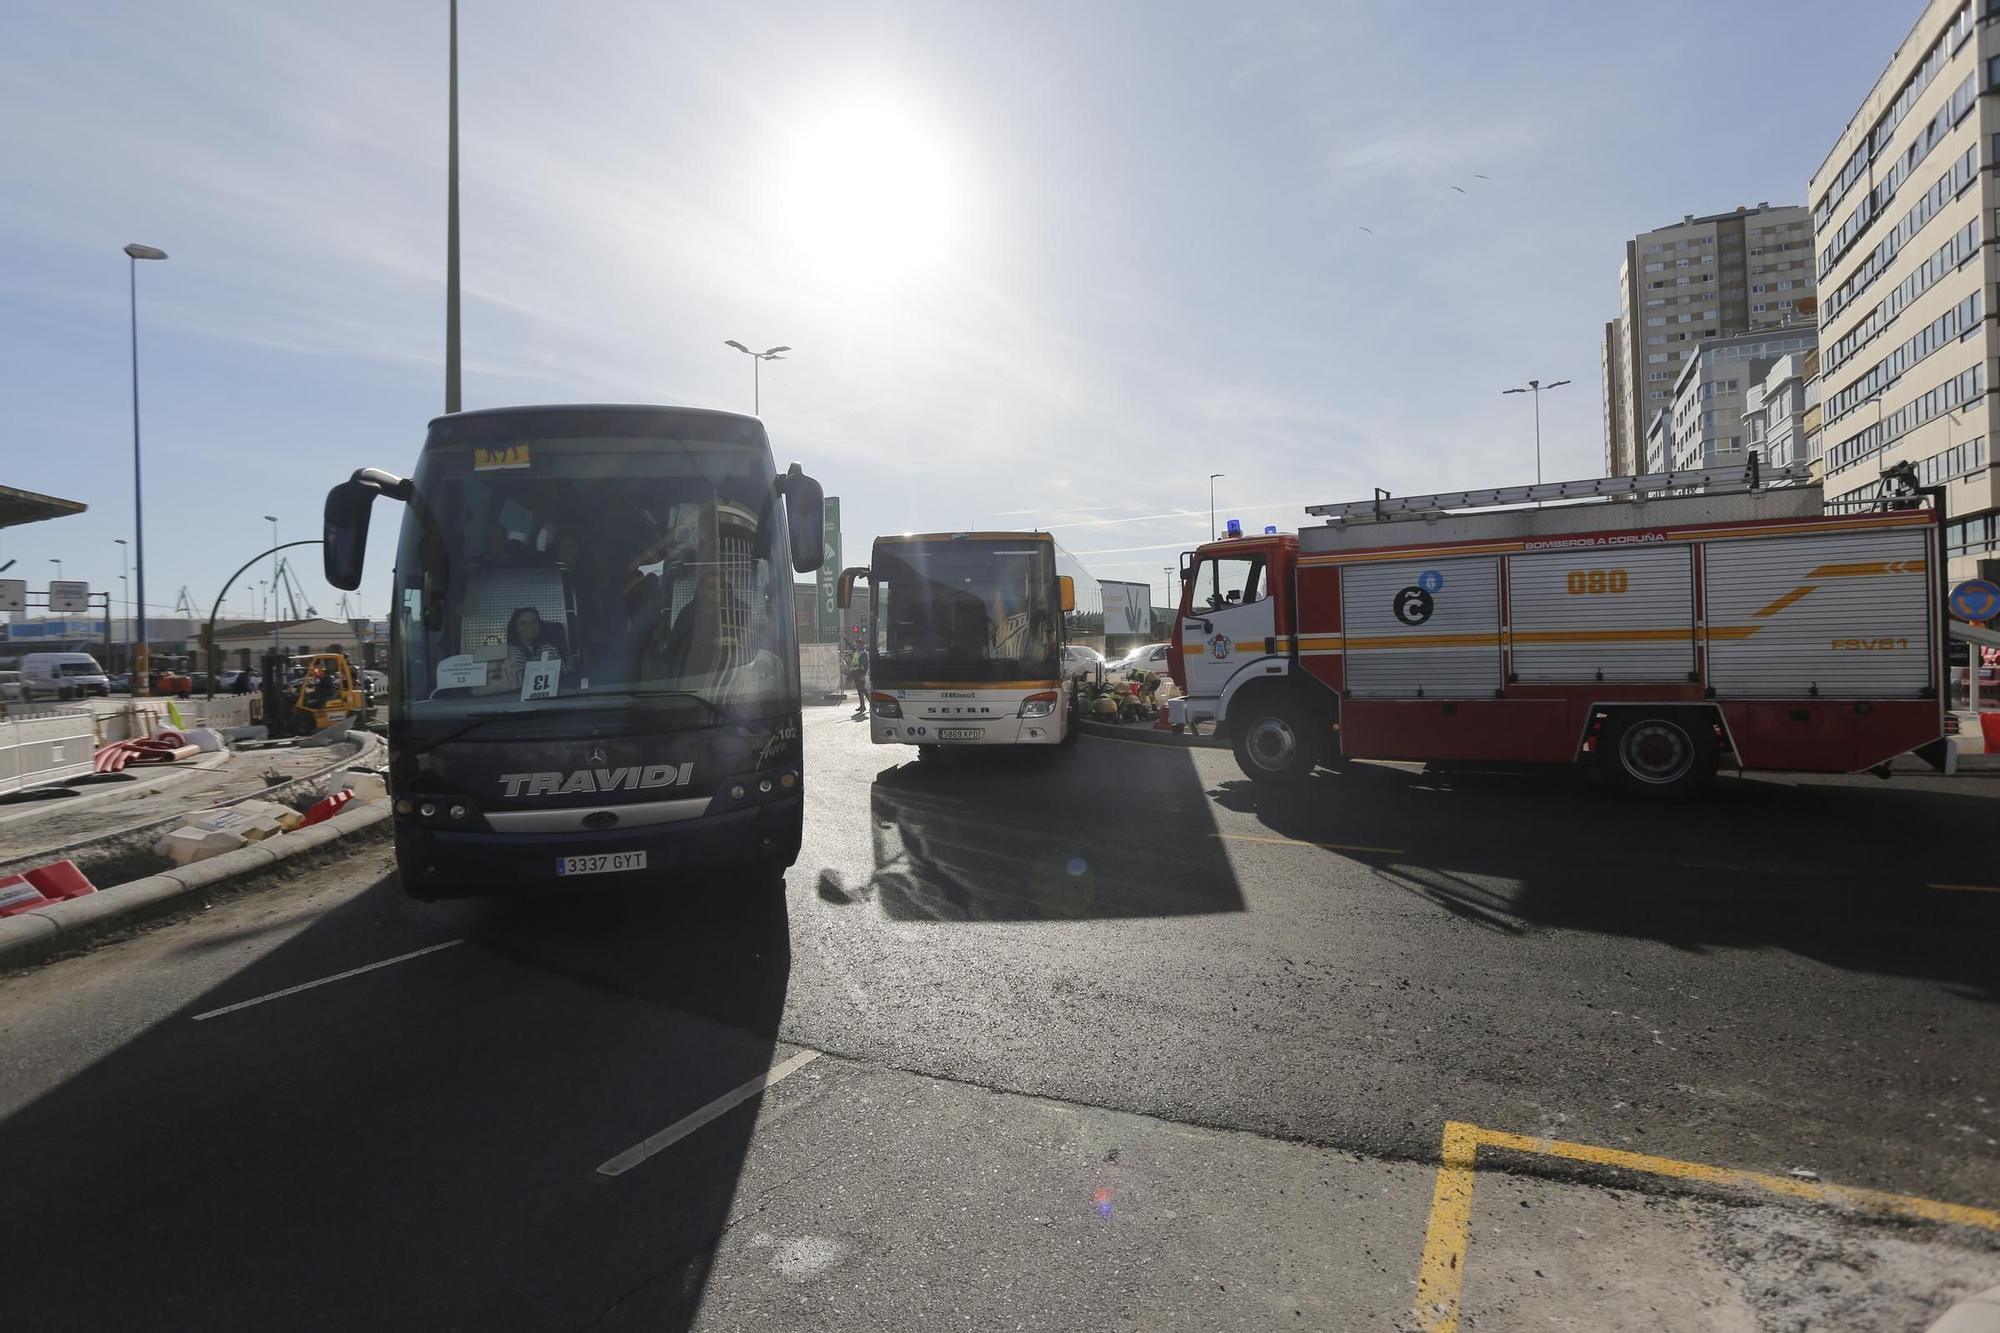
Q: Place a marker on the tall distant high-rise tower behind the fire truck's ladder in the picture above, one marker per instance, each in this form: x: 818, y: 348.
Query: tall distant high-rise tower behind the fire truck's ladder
x: 1679, y: 285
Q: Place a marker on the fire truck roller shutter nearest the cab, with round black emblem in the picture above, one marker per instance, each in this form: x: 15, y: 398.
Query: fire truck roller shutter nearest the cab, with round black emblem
x: 1425, y: 627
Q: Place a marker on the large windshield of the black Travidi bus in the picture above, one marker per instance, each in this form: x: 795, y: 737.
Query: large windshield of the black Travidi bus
x: 595, y: 573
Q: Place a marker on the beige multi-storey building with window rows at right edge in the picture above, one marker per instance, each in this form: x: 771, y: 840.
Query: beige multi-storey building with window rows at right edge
x: 1903, y: 209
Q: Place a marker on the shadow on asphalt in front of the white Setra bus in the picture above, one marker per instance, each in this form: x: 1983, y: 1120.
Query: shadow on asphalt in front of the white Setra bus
x: 967, y: 836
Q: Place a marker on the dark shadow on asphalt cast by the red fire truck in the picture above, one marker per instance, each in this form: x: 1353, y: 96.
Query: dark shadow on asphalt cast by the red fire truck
x: 1831, y: 872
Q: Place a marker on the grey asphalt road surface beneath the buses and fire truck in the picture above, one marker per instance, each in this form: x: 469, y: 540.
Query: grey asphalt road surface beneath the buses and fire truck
x: 1111, y: 1044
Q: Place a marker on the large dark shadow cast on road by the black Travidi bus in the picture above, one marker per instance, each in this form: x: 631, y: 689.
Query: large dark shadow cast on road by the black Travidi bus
x: 415, y: 1148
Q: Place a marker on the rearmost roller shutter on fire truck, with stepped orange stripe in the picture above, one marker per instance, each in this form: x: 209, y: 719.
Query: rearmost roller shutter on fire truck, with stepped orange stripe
x: 1845, y: 615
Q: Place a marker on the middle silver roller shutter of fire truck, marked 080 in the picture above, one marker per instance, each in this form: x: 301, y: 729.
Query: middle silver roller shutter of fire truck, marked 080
x: 1603, y: 613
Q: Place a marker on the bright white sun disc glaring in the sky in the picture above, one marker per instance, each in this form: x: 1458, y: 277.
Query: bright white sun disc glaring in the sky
x: 865, y: 195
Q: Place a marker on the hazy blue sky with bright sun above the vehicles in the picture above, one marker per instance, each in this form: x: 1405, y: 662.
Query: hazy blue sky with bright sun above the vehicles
x: 1041, y: 265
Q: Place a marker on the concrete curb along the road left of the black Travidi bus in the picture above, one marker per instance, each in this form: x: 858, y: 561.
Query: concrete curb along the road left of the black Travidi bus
x: 41, y: 934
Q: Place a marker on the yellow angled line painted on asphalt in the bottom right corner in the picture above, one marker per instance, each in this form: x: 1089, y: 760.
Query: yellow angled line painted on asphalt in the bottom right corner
x: 1443, y: 1270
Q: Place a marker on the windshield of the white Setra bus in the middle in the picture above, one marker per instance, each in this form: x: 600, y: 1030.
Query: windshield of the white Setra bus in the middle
x: 965, y: 611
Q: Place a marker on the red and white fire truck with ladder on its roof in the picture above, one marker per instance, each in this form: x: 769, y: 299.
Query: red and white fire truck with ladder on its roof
x: 1637, y: 623
